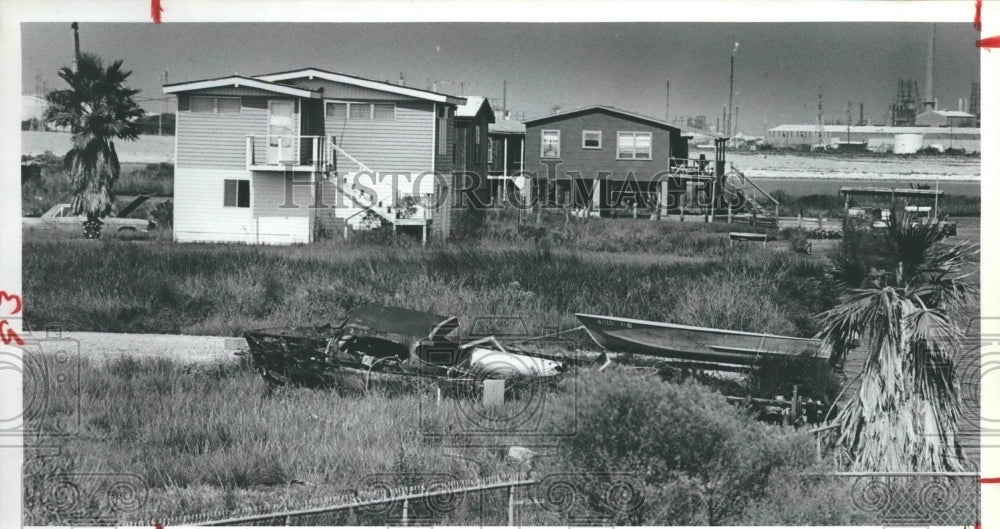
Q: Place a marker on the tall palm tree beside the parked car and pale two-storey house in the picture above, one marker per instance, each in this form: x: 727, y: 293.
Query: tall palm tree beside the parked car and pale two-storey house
x: 98, y: 109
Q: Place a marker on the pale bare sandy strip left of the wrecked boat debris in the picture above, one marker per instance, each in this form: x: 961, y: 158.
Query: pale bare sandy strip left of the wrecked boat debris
x: 99, y: 347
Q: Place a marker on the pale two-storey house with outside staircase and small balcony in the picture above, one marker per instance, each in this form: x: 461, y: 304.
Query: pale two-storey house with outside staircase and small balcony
x: 290, y: 156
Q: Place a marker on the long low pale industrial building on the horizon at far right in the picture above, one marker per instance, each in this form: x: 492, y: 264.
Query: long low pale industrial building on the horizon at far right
x: 878, y: 138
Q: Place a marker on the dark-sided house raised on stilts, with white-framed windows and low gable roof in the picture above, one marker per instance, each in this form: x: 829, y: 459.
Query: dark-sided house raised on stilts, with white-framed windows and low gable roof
x: 600, y: 144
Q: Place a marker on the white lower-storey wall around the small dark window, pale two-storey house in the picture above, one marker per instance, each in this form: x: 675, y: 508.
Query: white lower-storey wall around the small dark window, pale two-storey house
x: 199, y: 214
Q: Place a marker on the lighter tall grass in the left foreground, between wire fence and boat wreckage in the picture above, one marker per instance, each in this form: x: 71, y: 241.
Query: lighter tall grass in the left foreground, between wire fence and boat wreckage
x: 209, y: 438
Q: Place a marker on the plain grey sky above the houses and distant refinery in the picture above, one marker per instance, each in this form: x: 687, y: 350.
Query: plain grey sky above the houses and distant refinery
x: 780, y: 67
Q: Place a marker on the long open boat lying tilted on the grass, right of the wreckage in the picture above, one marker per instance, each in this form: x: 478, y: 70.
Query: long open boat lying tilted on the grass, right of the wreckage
x: 695, y: 344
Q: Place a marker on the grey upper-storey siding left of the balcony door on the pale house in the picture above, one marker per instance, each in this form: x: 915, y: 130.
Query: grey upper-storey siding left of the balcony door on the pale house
x: 218, y: 141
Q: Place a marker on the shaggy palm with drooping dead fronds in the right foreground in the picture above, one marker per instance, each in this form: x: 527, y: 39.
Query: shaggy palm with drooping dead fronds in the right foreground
x: 901, y: 290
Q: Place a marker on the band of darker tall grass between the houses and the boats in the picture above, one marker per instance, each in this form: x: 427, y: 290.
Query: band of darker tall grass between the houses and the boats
x: 227, y: 289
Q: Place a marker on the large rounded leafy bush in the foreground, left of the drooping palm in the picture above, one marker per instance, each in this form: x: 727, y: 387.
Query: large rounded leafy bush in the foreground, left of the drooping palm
x: 689, y: 457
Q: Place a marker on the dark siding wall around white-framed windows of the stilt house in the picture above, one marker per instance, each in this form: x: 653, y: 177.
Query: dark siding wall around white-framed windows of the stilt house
x: 590, y: 161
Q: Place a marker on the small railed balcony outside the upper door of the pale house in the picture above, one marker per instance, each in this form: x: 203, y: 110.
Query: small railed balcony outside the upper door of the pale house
x: 281, y: 153
